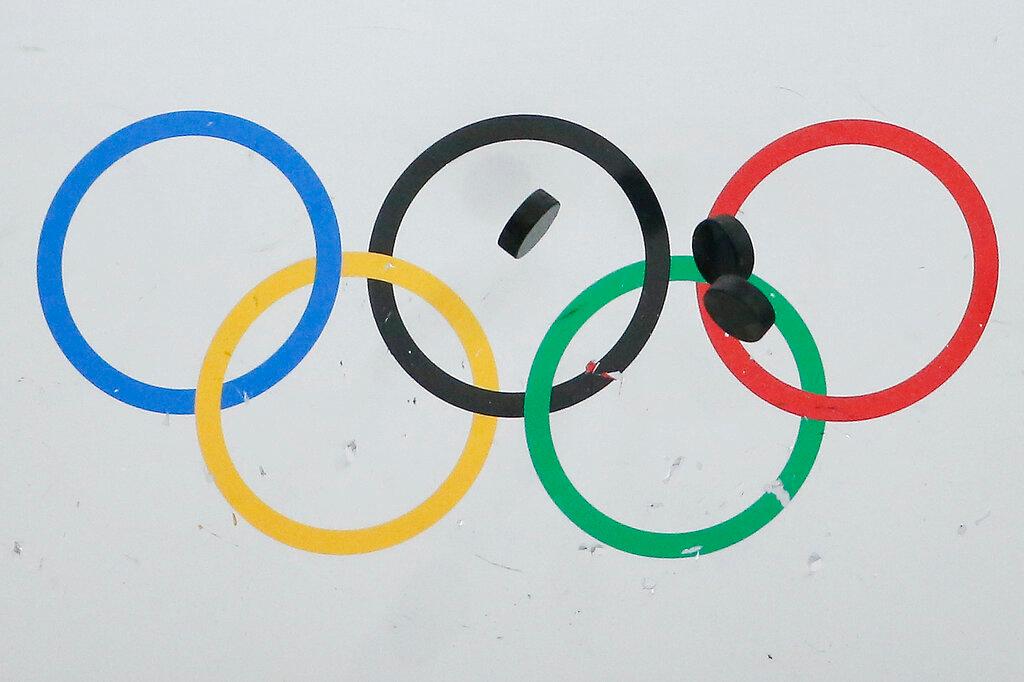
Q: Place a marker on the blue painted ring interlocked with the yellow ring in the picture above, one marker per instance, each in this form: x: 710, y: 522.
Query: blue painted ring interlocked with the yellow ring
x: 179, y: 124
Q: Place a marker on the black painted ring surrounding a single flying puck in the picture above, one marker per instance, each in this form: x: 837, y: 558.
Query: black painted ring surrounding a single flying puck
x: 474, y: 137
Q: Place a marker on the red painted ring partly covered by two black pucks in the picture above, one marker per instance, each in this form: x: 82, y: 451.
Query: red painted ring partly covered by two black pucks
x: 987, y: 270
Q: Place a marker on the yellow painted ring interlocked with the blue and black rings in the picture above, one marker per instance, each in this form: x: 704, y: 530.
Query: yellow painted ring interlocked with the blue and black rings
x: 211, y: 381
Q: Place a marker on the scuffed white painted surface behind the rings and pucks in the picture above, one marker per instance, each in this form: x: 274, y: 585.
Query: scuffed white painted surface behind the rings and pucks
x: 902, y: 557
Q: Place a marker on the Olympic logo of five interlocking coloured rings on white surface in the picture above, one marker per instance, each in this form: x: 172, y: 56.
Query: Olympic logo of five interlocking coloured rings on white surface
x: 483, y: 398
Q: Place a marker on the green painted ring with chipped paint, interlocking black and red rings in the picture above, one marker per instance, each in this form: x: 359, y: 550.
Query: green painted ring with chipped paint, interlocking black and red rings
x: 607, y: 530
